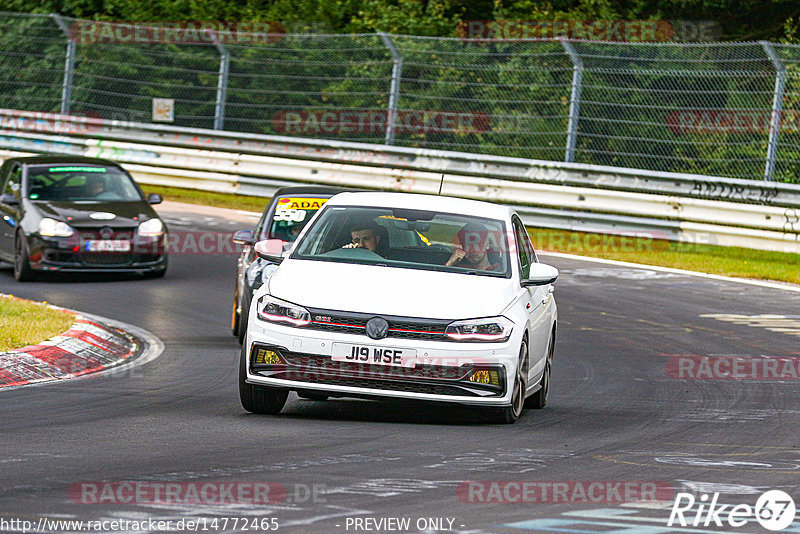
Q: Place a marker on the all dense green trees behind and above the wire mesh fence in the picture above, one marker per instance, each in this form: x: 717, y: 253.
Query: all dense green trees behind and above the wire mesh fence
x: 518, y: 94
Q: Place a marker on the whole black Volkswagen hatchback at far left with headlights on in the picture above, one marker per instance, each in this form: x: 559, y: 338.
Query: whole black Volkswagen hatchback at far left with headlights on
x: 67, y: 213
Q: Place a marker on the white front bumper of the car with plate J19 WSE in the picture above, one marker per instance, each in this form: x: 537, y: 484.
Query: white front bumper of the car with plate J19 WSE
x: 440, y: 372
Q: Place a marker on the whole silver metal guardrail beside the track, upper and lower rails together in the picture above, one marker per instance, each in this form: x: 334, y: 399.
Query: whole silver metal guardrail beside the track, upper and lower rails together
x: 562, y: 195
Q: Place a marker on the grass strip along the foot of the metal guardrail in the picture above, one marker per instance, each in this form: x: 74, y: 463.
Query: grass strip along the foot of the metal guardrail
x: 728, y: 261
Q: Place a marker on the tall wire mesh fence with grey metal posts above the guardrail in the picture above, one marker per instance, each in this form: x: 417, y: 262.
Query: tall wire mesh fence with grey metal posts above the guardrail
x: 727, y: 109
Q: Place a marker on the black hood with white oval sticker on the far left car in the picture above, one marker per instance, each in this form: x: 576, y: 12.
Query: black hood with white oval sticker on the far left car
x: 79, y: 214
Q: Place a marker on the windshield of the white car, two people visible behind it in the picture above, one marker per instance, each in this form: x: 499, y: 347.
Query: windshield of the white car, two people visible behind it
x: 406, y: 238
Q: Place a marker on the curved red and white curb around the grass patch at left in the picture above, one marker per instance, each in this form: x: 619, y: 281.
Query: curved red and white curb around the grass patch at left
x: 91, y: 345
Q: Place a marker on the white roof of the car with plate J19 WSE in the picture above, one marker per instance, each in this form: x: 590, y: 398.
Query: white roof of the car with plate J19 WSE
x: 423, y: 202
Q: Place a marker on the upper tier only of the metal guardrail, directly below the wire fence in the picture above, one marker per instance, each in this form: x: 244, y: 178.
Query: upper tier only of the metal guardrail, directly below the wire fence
x: 438, y: 161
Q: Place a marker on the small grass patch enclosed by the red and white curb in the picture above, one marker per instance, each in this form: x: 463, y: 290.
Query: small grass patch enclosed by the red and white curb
x: 25, y: 323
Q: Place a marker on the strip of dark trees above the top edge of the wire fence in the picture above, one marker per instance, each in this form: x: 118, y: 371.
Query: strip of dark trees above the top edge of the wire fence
x: 738, y: 19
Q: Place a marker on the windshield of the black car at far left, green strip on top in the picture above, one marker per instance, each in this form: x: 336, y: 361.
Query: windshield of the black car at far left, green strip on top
x: 80, y: 182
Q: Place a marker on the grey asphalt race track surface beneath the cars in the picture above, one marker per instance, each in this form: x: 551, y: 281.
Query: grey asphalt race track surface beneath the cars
x: 617, y: 412
